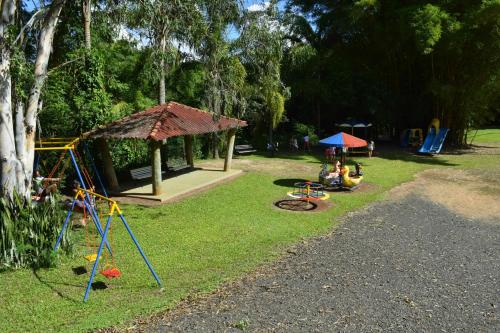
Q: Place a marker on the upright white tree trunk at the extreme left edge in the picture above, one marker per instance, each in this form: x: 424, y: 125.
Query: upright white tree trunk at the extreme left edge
x: 7, y: 145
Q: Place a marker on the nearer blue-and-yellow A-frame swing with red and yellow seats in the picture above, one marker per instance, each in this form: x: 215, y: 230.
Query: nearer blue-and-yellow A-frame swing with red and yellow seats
x: 109, y: 270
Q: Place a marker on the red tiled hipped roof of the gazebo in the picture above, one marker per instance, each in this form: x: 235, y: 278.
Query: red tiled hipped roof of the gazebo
x: 165, y: 121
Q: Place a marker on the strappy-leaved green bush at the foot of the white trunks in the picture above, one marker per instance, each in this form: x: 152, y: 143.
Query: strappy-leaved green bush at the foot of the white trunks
x: 28, y: 233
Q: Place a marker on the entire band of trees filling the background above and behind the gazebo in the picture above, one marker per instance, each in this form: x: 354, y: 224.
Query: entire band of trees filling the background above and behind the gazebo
x: 395, y: 63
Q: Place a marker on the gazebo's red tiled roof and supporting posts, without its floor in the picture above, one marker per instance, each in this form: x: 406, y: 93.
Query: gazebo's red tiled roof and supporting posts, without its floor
x: 157, y: 124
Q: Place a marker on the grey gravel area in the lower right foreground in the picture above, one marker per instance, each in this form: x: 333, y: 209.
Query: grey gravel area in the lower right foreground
x: 397, y: 266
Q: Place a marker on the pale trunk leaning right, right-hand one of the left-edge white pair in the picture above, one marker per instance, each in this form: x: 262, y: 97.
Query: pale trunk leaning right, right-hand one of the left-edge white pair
x: 42, y: 59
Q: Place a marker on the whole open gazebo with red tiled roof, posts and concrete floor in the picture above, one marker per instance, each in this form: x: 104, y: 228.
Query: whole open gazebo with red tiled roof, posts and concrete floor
x: 156, y: 125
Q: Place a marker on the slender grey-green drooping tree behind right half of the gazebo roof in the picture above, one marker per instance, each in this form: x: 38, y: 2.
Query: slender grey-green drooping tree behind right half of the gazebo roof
x: 224, y: 74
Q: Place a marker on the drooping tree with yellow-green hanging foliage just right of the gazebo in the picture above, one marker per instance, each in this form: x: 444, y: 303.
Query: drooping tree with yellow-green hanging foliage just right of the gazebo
x: 260, y: 47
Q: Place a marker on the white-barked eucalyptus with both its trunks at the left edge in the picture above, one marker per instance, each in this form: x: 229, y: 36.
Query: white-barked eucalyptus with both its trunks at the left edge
x: 17, y: 122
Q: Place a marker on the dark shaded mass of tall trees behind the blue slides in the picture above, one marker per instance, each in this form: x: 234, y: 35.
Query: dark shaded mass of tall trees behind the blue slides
x: 393, y: 62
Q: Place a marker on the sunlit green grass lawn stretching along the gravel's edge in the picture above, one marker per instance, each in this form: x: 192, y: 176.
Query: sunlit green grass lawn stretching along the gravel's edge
x: 195, y: 245
